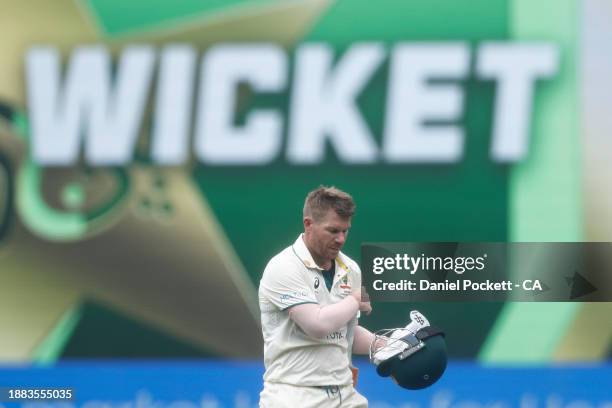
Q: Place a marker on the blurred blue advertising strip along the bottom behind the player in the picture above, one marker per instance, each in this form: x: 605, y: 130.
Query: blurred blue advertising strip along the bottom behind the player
x: 237, y: 385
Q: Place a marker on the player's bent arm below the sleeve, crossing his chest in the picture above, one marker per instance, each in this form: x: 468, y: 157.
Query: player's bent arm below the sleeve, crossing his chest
x: 319, y: 321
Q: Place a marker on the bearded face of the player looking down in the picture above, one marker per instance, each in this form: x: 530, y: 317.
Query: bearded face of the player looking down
x: 328, y: 235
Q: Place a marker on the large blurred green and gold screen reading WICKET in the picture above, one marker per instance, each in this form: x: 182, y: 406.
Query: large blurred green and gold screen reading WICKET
x: 155, y: 155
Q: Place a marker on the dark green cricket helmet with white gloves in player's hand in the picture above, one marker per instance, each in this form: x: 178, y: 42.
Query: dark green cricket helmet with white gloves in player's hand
x: 414, y: 356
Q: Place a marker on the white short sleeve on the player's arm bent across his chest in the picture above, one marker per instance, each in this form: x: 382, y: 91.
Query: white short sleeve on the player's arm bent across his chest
x: 284, y: 285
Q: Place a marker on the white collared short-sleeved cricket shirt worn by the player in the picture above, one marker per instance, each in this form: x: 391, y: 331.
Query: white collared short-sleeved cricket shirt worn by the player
x: 290, y: 356
